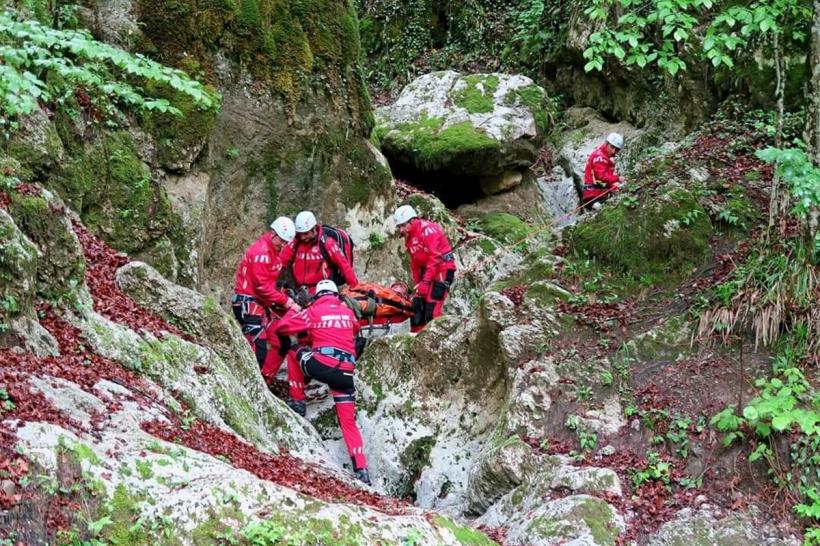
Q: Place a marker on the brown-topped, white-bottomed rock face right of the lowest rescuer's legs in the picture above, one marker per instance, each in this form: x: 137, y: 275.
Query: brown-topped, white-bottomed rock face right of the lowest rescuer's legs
x: 427, y: 403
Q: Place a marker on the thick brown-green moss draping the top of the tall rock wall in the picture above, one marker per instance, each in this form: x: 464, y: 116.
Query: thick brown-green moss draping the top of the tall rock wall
x: 283, y: 43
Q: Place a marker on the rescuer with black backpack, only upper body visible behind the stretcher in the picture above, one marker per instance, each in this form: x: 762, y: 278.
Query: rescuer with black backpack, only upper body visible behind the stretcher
x: 314, y: 256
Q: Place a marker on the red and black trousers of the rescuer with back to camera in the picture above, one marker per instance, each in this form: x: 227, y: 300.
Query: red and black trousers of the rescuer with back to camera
x: 303, y: 366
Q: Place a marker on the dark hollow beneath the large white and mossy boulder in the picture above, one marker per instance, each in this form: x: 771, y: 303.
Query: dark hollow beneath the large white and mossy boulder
x: 453, y: 190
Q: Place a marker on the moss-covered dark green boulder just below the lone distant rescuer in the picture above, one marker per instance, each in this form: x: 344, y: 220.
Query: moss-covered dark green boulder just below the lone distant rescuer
x: 662, y: 238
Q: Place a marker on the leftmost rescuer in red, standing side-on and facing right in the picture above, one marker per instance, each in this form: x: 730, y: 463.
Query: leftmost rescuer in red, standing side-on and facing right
x: 256, y: 298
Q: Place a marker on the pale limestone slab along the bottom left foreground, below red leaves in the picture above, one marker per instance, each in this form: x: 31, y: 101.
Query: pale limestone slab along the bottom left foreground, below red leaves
x: 194, y: 495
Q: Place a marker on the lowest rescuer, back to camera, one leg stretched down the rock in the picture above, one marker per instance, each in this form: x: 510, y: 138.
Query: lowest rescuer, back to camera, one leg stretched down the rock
x: 330, y: 358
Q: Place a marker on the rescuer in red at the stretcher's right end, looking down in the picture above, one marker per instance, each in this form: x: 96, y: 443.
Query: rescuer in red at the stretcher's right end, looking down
x: 432, y: 263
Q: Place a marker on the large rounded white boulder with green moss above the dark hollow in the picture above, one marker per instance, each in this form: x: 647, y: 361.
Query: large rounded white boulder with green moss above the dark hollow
x: 483, y: 125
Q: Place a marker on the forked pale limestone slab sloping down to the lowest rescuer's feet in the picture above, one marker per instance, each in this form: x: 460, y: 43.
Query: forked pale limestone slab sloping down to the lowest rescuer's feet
x: 219, y: 378
